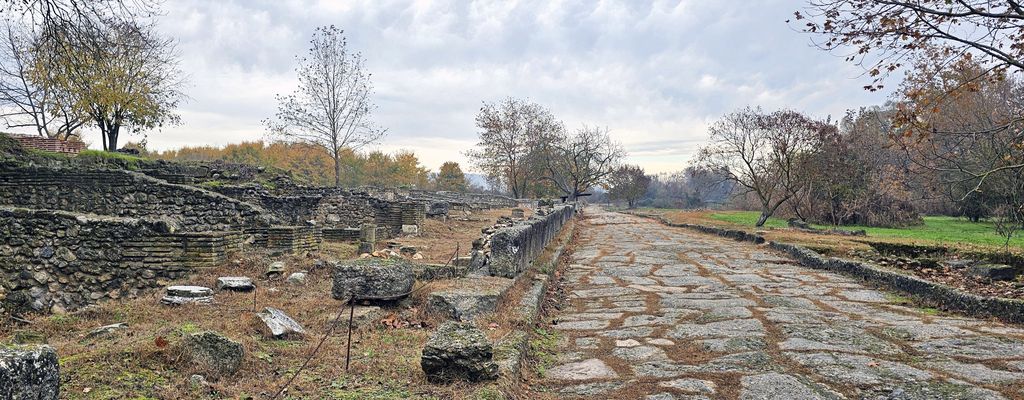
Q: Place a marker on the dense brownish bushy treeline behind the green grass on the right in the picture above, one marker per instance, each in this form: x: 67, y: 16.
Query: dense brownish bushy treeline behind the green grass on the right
x: 950, y: 143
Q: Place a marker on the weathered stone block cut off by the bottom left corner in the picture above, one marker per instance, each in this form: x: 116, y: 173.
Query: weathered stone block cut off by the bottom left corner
x: 29, y: 373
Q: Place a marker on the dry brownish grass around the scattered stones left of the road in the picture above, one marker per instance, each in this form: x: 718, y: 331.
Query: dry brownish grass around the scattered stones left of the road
x: 145, y: 361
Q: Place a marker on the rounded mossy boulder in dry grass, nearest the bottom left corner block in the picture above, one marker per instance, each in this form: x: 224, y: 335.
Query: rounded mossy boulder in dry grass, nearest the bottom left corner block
x: 214, y: 354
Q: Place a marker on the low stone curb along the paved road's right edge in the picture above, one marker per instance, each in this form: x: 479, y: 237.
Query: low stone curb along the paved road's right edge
x: 938, y: 295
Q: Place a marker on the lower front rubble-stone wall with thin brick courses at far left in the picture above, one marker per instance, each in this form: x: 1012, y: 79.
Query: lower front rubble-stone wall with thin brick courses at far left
x: 56, y: 260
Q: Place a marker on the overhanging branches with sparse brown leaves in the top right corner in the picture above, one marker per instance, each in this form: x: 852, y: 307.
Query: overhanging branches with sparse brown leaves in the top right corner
x: 884, y: 36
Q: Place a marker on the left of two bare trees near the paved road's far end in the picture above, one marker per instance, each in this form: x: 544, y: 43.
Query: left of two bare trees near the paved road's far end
x: 513, y: 136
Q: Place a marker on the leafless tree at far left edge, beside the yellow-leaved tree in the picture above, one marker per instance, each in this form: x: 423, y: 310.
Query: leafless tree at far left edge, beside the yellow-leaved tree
x: 26, y: 101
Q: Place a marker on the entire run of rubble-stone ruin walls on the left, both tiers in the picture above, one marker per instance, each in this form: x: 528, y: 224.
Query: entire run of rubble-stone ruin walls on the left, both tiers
x: 73, y: 237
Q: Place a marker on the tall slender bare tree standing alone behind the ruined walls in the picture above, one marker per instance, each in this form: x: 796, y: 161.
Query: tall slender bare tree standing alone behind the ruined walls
x: 331, y: 108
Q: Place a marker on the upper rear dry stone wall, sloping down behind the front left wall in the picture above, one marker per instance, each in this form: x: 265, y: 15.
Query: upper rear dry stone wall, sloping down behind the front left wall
x: 125, y: 194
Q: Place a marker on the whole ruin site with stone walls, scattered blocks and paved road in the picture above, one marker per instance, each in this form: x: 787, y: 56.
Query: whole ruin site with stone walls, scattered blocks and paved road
x: 133, y: 277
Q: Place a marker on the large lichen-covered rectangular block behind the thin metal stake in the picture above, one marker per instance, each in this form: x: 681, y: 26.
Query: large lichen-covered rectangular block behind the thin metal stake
x: 373, y: 280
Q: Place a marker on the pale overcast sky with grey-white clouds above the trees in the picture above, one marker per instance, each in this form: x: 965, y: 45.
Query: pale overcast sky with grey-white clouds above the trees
x: 656, y: 73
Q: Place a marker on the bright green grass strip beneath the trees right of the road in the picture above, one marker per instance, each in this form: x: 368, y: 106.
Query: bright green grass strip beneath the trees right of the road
x: 940, y: 230
